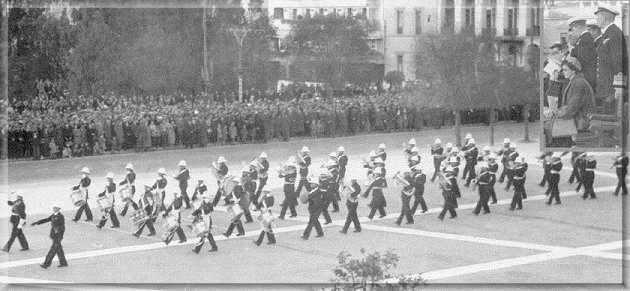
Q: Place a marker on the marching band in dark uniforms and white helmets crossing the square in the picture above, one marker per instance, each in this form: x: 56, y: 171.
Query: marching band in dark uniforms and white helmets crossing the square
x: 245, y: 196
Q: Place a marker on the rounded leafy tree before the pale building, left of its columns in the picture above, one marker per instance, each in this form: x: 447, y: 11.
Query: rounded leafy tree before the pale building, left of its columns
x: 335, y: 46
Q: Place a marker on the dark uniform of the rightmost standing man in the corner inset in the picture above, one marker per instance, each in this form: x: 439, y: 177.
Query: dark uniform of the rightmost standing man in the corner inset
x: 611, y: 60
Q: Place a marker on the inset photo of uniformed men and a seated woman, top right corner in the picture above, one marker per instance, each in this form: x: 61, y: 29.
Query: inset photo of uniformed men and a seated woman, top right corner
x: 585, y: 73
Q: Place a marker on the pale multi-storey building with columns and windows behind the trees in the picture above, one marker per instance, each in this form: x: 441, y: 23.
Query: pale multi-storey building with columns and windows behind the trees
x: 514, y: 24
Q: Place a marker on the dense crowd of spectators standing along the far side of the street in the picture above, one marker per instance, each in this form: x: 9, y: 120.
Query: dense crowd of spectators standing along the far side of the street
x: 59, y: 126
